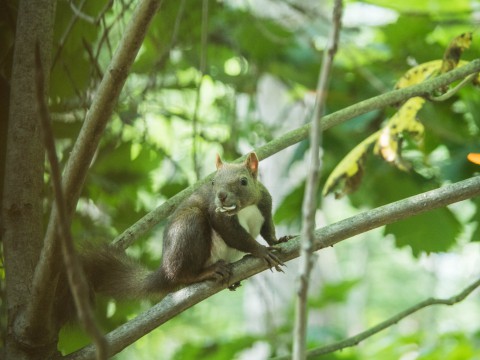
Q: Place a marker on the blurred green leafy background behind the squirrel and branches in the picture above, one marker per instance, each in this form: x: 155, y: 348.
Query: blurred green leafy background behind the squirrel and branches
x: 257, y: 68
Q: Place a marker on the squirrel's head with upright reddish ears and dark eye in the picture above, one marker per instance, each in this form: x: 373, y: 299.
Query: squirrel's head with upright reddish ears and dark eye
x: 235, y: 185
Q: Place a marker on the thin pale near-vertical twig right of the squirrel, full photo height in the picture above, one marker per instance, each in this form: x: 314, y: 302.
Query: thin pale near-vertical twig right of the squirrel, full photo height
x: 309, y: 209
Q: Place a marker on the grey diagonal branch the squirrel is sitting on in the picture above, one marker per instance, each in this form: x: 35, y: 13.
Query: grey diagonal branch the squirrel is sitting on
x: 177, y: 302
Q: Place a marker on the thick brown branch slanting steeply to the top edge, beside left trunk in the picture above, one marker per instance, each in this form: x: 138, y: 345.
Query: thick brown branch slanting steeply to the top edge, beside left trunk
x: 86, y: 145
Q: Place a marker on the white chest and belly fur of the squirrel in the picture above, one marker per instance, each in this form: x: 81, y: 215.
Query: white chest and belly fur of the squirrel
x: 251, y: 220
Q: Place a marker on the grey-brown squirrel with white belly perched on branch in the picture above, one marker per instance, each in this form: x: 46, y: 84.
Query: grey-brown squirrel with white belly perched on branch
x: 213, y: 227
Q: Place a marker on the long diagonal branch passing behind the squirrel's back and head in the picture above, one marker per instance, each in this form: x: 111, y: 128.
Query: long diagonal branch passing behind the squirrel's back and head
x: 290, y: 138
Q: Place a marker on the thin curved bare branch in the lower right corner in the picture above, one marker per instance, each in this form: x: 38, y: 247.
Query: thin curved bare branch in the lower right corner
x: 355, y: 340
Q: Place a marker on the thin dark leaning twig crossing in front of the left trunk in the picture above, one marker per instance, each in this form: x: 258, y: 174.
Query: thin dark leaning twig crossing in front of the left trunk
x: 75, y: 274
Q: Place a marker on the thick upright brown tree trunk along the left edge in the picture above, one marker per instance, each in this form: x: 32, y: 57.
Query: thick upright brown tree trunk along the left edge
x: 22, y: 212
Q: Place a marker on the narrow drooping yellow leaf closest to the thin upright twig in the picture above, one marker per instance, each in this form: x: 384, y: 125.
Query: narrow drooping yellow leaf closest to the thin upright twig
x: 346, y: 176
